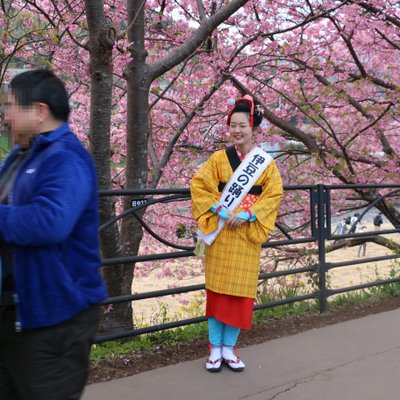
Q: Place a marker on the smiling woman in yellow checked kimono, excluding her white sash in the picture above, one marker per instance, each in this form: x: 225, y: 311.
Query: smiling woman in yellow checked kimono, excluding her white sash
x: 233, y: 258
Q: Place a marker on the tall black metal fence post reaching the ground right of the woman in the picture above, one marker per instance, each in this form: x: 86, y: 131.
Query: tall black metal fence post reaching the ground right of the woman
x: 321, y: 237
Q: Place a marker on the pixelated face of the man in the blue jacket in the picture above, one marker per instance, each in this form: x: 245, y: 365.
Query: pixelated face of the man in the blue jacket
x: 22, y: 121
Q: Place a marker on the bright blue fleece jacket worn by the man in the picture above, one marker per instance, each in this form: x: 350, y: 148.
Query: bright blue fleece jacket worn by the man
x: 51, y: 221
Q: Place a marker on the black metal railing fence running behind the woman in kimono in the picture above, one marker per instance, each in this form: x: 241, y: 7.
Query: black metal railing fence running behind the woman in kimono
x: 318, y: 203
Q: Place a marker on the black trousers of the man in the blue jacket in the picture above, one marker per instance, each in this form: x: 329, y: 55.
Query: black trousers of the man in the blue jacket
x: 47, y: 363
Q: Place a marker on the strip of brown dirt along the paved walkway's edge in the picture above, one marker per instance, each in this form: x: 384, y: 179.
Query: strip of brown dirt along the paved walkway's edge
x: 136, y: 363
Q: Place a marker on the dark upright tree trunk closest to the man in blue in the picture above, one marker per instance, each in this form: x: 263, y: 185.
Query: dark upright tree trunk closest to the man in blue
x: 101, y: 42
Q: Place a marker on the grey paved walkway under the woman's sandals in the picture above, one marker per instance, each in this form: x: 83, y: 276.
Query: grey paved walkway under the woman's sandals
x: 353, y: 360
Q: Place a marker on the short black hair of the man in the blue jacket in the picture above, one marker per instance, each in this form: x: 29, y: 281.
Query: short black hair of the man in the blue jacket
x: 41, y: 86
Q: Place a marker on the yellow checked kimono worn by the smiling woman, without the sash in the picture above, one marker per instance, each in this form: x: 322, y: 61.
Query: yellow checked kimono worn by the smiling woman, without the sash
x: 232, y: 261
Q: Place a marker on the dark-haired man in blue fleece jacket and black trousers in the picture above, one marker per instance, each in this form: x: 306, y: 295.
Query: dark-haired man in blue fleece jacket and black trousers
x: 51, y: 286
